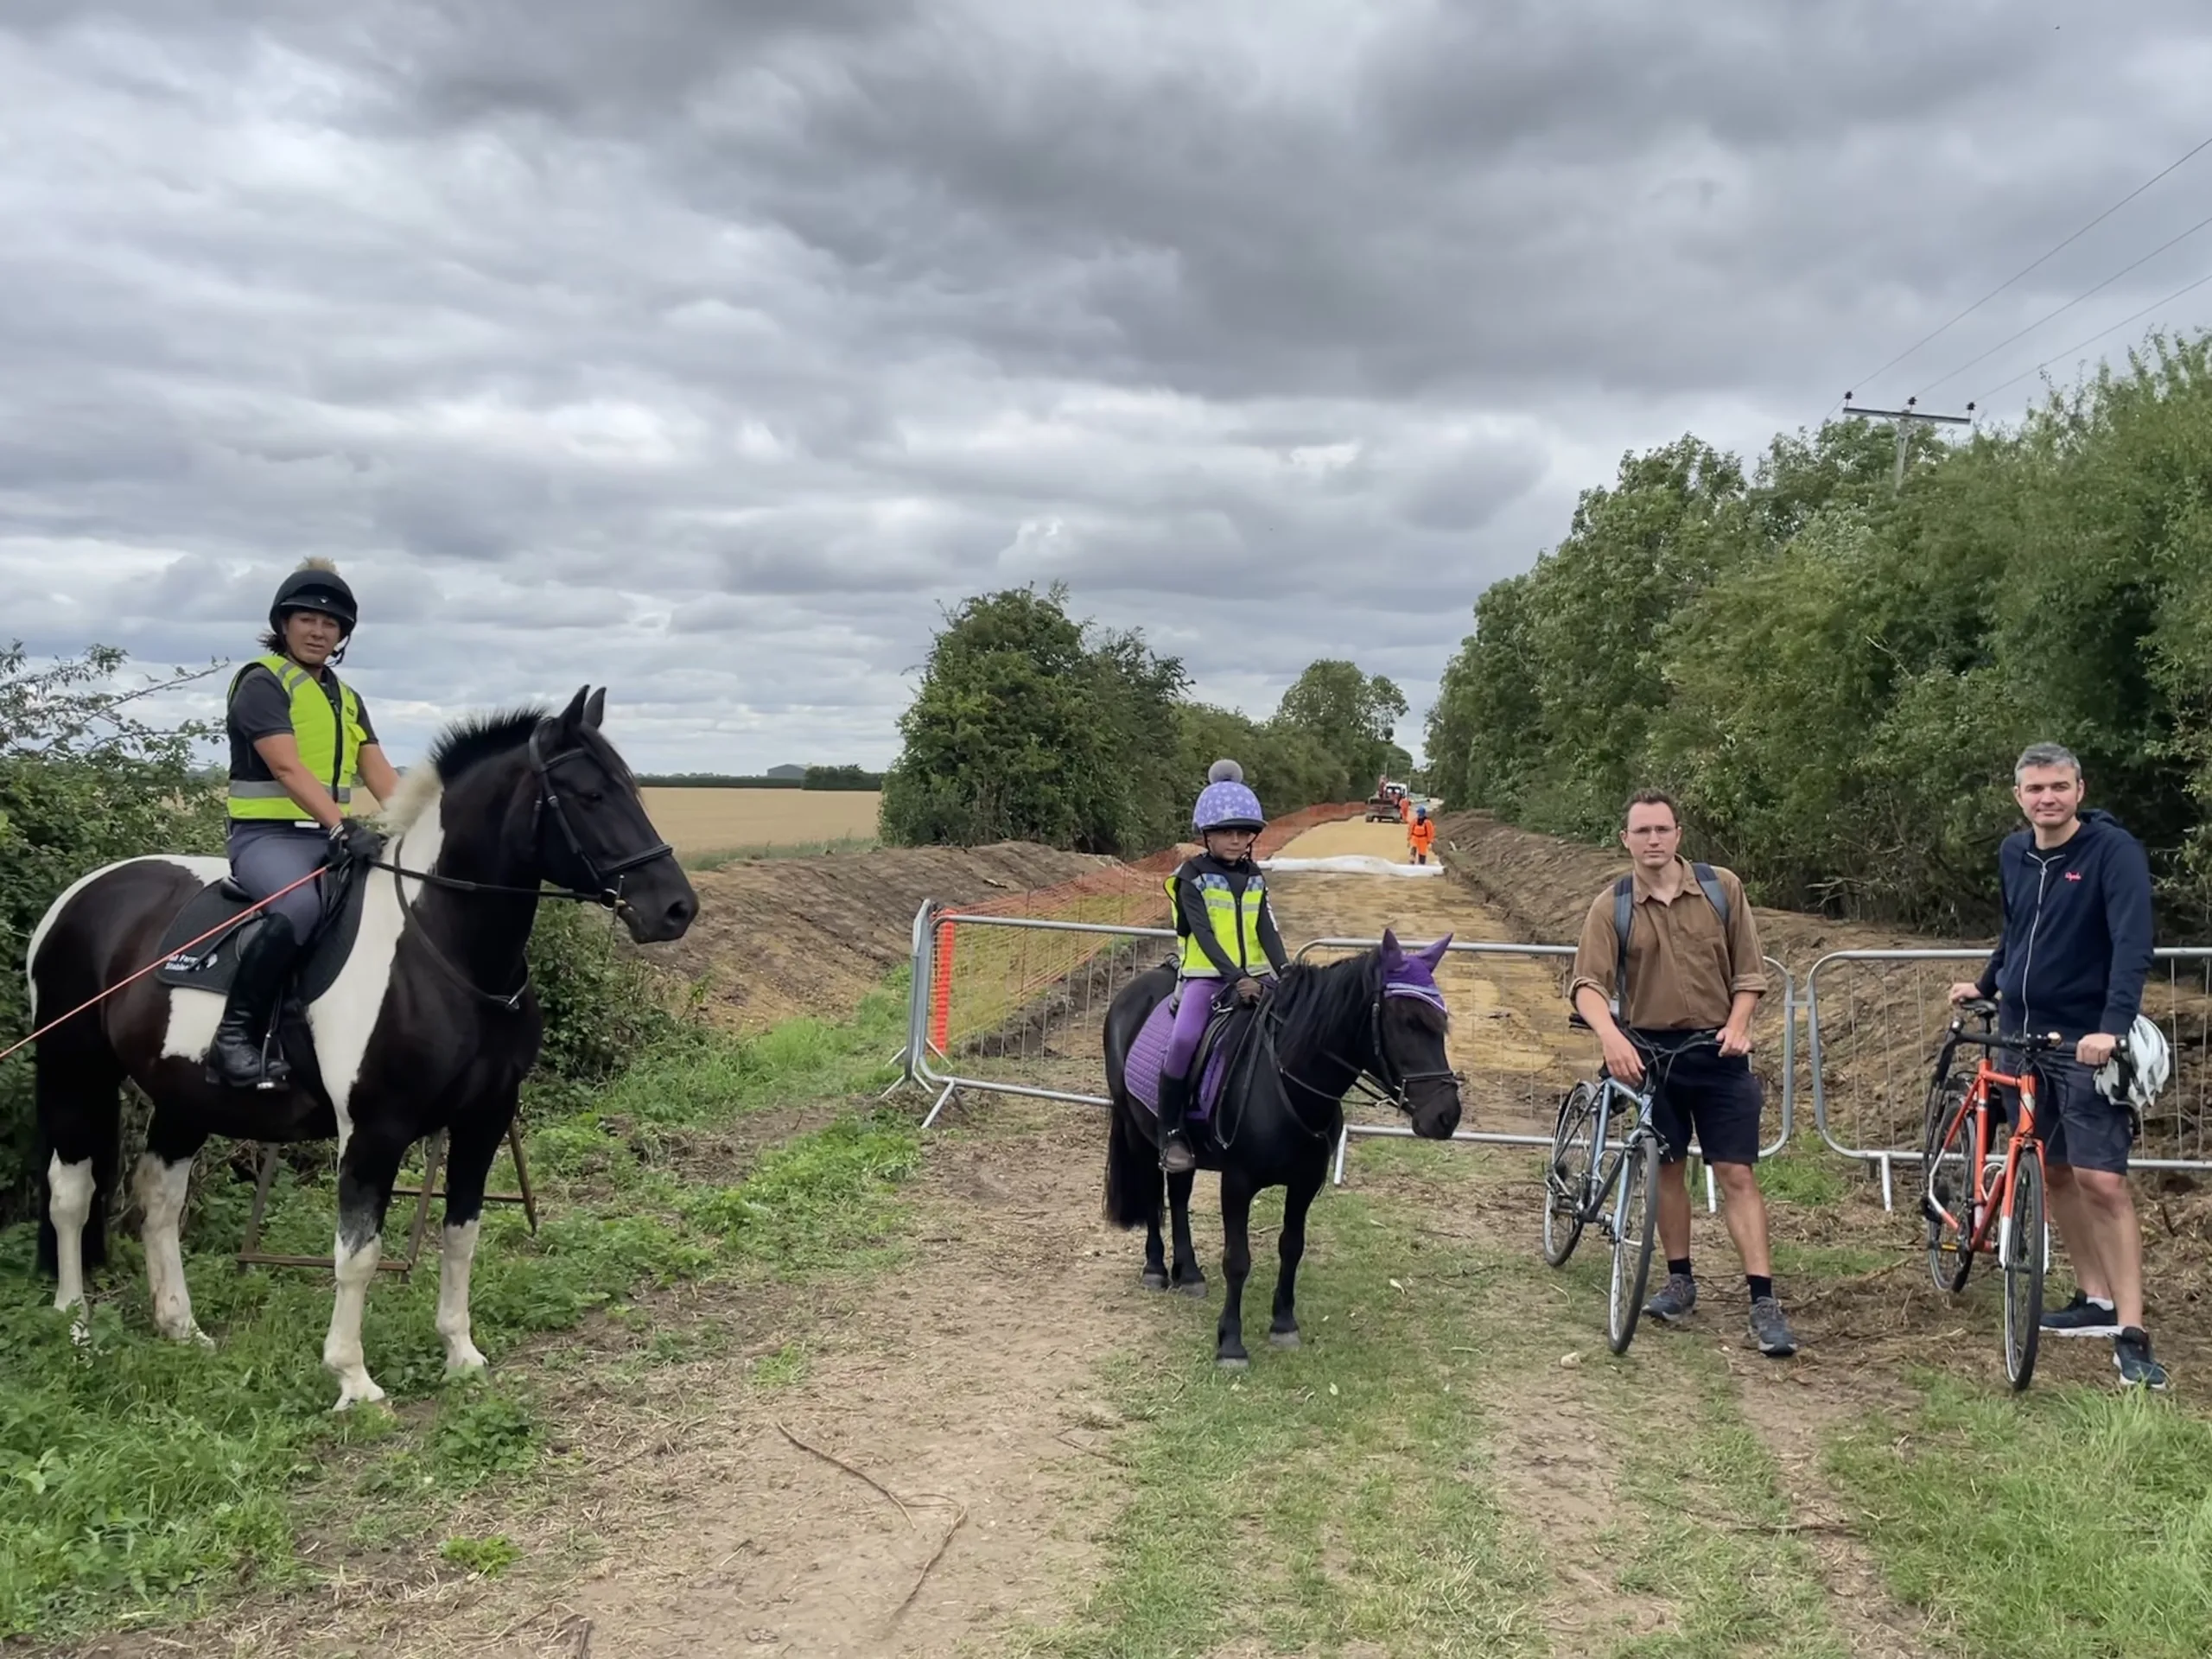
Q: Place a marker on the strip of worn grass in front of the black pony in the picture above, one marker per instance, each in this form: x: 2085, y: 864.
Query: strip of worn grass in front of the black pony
x: 1331, y: 1496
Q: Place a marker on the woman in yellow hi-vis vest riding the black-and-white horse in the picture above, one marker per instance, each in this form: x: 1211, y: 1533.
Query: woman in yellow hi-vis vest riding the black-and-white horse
x: 300, y: 742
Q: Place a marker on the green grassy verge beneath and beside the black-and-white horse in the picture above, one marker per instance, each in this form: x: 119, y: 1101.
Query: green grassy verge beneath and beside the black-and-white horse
x: 140, y: 1481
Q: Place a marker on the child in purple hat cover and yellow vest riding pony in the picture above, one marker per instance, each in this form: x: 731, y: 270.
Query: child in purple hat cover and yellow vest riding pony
x: 1229, y: 941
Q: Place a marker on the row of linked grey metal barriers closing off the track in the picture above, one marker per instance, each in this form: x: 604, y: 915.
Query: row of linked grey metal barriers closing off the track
x: 1012, y: 1005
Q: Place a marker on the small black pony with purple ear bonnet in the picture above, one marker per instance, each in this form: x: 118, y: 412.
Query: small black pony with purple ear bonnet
x: 1280, y: 1114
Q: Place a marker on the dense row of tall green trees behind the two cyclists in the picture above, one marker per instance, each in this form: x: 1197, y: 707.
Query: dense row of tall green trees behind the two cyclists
x: 1837, y: 676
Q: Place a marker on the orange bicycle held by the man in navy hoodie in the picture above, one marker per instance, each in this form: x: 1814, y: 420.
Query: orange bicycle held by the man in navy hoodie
x: 1970, y: 1191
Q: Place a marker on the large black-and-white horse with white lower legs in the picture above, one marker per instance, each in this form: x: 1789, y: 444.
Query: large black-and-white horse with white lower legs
x: 430, y: 1023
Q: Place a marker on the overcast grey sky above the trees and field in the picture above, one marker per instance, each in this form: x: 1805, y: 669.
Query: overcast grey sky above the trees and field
x: 705, y: 348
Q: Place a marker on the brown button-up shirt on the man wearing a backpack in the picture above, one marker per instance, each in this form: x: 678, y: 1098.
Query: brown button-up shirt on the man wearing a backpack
x: 1684, y: 968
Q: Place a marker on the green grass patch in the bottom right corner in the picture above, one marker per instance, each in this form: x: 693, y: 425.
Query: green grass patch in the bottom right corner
x: 2065, y: 1523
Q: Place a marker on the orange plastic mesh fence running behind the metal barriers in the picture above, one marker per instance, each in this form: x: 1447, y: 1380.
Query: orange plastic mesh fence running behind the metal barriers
x: 985, y: 977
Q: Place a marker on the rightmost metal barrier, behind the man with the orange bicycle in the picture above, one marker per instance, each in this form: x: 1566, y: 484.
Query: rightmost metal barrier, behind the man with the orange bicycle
x: 1875, y: 1039
